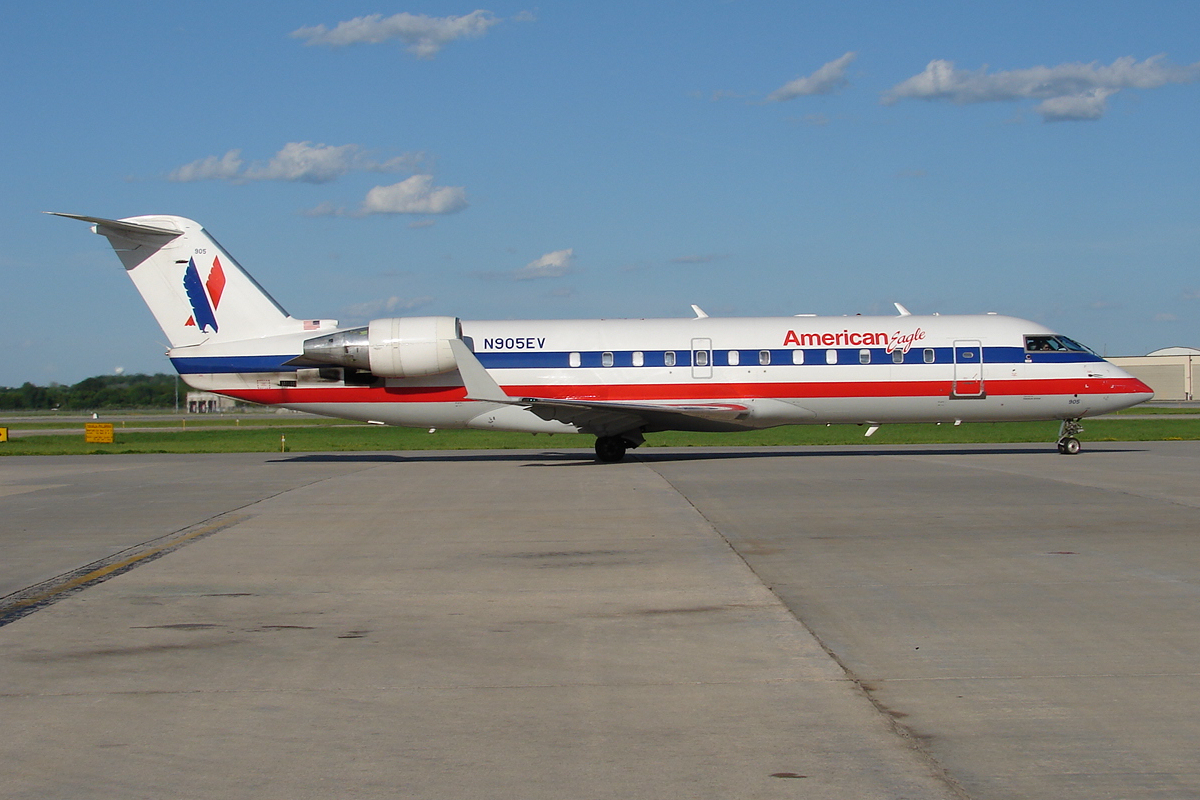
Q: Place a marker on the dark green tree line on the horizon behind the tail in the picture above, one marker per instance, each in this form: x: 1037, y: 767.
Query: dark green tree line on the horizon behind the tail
x: 94, y: 394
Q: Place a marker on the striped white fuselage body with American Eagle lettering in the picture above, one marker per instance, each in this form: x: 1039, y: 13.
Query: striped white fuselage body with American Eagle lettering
x: 783, y: 371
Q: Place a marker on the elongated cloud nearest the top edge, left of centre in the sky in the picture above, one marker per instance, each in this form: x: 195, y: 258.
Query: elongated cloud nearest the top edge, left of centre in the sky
x: 424, y: 37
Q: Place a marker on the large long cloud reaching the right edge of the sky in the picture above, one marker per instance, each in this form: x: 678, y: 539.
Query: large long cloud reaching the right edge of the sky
x: 1070, y: 92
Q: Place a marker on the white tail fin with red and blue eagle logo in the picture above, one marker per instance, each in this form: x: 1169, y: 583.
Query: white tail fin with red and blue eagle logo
x: 196, y: 291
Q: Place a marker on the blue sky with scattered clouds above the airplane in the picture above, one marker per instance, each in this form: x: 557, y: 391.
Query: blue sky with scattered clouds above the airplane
x: 580, y: 160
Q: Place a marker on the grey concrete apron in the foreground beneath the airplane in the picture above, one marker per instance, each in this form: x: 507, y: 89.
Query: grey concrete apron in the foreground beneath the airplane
x: 922, y: 622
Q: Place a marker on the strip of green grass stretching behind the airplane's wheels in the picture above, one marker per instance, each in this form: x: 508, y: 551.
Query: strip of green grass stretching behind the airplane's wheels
x: 317, y: 436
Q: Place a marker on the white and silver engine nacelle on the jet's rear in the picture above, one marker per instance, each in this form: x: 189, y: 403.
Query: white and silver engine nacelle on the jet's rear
x: 400, y: 347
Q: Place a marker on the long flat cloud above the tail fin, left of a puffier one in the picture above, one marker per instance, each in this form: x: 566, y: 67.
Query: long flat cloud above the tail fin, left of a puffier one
x: 298, y: 161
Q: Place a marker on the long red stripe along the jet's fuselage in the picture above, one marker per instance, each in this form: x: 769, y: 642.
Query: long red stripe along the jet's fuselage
x: 692, y: 392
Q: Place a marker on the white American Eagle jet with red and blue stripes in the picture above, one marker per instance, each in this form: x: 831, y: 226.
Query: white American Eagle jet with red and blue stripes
x: 617, y: 380
